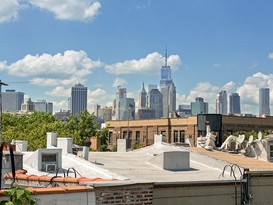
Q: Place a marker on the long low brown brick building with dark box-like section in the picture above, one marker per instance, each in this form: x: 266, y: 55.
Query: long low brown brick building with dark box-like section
x: 178, y: 130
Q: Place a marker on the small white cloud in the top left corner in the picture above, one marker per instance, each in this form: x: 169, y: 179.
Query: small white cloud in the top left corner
x: 9, y: 10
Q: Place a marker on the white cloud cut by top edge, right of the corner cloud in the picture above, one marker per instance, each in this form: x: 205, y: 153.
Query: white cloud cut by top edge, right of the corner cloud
x: 78, y: 10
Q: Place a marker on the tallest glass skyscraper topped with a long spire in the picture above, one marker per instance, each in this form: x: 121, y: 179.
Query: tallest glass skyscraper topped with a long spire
x: 167, y: 89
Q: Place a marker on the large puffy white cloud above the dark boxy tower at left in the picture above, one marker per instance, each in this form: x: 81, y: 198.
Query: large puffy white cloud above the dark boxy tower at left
x: 71, y: 63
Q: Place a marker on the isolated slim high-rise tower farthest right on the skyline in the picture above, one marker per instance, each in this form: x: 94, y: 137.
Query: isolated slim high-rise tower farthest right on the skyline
x: 264, y: 102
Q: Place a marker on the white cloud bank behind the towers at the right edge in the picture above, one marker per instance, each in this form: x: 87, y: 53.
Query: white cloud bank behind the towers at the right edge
x: 248, y: 91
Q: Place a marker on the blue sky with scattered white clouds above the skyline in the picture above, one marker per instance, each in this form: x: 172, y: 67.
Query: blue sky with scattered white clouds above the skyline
x: 212, y: 45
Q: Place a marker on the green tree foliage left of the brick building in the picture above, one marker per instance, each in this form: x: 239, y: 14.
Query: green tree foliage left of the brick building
x: 33, y: 127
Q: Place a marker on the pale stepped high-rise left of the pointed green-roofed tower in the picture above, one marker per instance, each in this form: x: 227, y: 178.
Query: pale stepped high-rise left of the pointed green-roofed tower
x: 123, y: 107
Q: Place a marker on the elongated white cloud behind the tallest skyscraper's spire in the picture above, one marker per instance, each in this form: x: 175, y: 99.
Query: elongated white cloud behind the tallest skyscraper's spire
x: 151, y: 64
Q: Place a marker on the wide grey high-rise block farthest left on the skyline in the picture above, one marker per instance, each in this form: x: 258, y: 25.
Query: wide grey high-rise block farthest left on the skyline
x: 12, y: 101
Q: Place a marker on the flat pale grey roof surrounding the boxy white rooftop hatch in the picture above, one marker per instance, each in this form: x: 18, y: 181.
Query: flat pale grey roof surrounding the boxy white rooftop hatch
x: 136, y: 166
